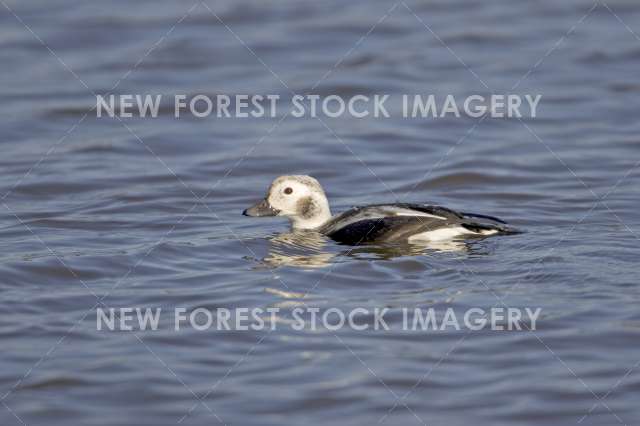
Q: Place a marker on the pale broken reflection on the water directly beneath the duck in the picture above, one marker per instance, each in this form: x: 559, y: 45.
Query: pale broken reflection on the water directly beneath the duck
x: 309, y: 249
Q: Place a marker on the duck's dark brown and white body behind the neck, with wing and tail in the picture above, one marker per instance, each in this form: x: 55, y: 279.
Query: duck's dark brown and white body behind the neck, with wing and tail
x: 402, y: 221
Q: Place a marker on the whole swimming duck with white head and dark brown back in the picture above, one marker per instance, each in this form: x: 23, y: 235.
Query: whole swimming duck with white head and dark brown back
x: 301, y: 199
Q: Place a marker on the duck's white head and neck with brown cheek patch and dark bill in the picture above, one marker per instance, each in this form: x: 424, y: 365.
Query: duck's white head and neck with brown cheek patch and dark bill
x: 298, y: 197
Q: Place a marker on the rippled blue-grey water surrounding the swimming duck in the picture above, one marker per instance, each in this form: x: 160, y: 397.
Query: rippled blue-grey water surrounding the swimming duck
x: 146, y: 213
